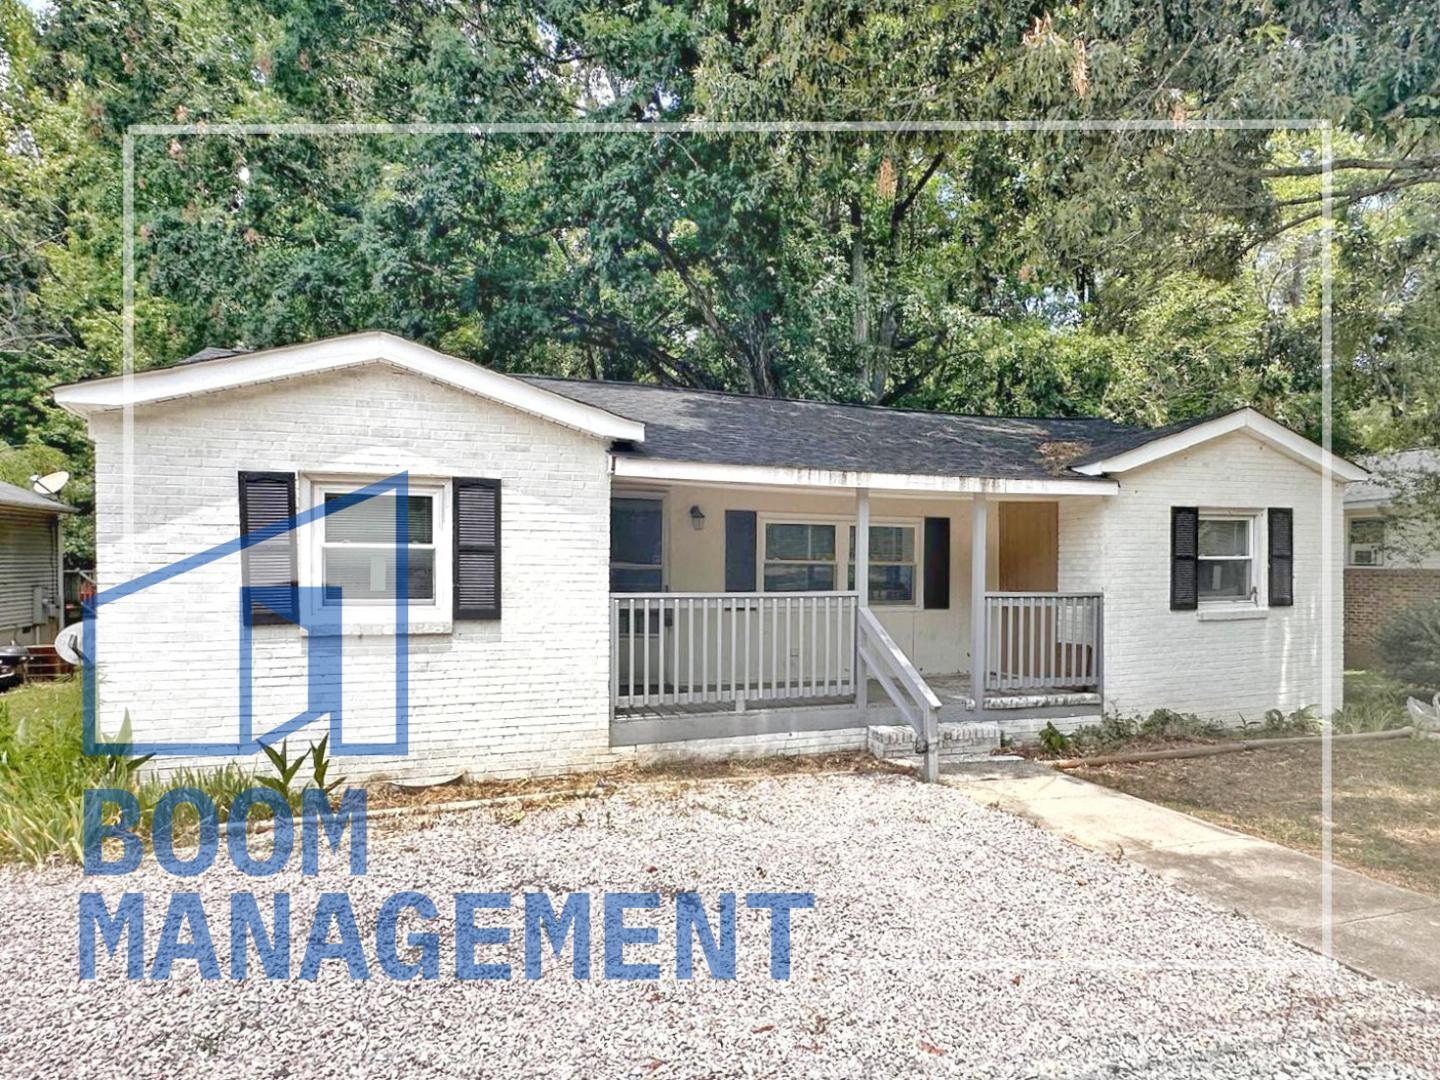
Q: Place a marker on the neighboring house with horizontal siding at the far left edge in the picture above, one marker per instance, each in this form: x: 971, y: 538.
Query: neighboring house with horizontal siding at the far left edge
x: 32, y: 571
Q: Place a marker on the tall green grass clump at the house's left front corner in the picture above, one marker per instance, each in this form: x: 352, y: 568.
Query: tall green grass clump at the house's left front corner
x: 44, y: 775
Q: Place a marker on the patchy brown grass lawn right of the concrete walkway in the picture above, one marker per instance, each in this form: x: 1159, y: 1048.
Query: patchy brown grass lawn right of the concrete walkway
x: 1386, y: 801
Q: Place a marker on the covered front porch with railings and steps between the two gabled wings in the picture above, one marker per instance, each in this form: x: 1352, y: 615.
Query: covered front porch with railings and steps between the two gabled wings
x: 735, y: 610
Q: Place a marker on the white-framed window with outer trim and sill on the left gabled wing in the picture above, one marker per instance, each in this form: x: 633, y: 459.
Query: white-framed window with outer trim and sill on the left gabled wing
x: 352, y: 552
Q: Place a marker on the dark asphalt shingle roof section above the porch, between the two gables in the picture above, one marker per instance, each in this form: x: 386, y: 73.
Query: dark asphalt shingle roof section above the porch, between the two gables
x: 737, y: 430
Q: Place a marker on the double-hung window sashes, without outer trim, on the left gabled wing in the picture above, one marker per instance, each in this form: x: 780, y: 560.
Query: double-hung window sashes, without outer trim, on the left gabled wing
x: 358, y: 548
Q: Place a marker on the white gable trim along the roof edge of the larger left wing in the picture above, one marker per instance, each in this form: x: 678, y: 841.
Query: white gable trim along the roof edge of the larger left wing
x: 254, y: 369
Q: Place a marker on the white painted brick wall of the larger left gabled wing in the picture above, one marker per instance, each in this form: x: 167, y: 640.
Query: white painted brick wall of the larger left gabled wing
x: 526, y: 695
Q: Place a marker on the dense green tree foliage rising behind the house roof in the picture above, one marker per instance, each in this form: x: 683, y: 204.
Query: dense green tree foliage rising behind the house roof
x: 1148, y: 276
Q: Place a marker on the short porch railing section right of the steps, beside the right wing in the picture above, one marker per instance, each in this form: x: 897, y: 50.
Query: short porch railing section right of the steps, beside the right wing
x: 1045, y: 640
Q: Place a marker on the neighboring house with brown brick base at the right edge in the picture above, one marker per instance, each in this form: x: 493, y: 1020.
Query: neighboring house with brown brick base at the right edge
x: 1380, y: 577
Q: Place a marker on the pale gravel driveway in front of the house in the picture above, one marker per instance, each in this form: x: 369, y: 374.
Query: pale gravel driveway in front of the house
x: 947, y: 940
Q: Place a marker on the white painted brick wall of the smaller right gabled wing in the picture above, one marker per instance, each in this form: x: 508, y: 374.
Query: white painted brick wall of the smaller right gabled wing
x: 1157, y: 657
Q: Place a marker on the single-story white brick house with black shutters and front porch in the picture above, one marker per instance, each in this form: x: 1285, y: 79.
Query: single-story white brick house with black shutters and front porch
x: 644, y: 570
